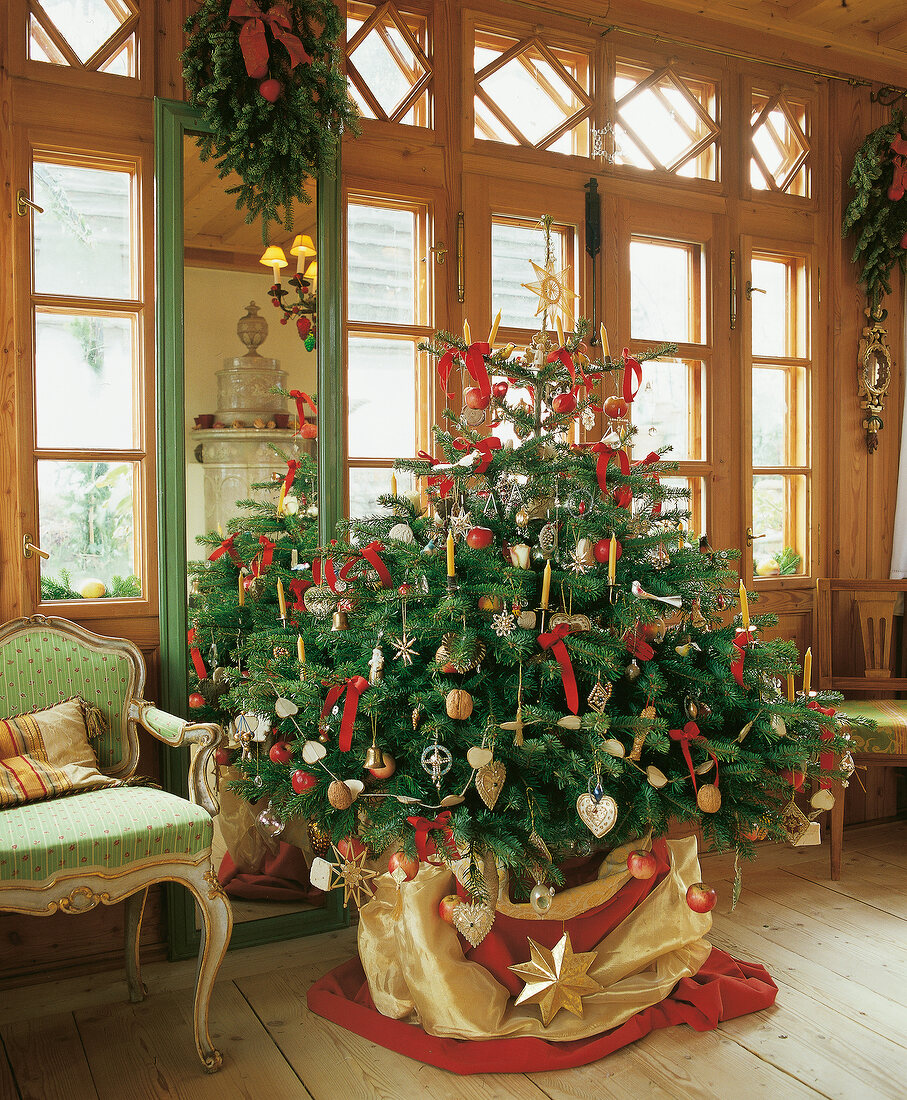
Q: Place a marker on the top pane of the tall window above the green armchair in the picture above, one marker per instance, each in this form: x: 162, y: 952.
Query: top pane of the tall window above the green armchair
x: 83, y: 243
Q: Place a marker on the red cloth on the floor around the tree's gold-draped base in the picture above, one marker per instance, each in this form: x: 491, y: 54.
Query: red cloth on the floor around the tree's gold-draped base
x: 723, y: 989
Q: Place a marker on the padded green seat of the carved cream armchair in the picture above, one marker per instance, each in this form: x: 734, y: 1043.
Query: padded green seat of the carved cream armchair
x: 102, y: 831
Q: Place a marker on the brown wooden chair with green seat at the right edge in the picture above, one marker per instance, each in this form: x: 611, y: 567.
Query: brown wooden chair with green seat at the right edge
x: 855, y: 632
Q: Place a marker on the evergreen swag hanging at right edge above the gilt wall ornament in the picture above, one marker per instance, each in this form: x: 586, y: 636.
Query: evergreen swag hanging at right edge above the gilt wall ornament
x: 879, y: 222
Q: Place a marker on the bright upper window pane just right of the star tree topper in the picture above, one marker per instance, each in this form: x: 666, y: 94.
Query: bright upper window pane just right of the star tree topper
x: 665, y: 294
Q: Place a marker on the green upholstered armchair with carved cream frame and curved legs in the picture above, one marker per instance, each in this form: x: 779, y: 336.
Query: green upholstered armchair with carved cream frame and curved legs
x: 107, y: 845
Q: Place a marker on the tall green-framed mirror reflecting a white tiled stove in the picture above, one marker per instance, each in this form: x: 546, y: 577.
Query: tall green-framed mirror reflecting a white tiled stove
x: 225, y: 350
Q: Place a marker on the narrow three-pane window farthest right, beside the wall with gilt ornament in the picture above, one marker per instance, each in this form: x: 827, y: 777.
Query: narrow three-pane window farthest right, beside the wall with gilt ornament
x: 781, y: 378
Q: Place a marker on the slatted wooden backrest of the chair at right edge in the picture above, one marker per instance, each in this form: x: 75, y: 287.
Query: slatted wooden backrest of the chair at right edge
x: 856, y: 628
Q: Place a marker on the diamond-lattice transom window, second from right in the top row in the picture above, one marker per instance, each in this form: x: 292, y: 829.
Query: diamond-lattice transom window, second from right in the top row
x: 666, y: 122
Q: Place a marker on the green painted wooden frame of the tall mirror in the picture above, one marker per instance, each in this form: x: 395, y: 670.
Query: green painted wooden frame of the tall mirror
x: 173, y: 120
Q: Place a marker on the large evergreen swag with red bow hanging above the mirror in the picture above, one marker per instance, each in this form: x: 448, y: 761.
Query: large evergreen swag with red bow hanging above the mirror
x: 272, y: 147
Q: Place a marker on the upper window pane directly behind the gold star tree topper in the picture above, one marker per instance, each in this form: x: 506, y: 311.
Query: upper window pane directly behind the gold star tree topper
x: 514, y: 246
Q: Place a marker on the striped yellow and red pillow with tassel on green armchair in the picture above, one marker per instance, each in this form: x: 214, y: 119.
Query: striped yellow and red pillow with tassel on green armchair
x: 47, y: 754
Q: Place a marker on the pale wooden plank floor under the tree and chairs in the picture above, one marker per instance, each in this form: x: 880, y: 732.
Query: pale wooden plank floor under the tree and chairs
x: 838, y: 952
